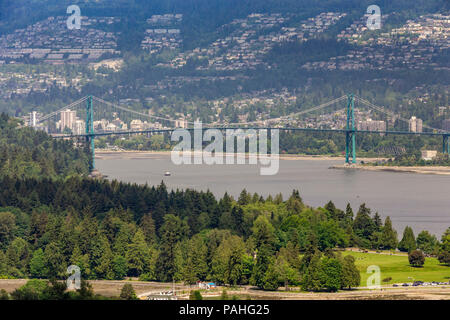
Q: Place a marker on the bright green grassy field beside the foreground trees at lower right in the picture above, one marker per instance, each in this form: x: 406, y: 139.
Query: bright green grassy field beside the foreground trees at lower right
x: 398, y: 268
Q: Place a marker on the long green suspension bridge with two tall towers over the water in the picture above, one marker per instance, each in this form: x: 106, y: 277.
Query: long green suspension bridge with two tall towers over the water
x: 349, y: 130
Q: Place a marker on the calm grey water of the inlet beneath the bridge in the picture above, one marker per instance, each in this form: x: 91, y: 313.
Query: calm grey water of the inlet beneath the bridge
x: 418, y: 200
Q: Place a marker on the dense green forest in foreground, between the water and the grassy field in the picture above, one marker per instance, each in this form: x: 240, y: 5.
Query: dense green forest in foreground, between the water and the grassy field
x: 113, y: 230
